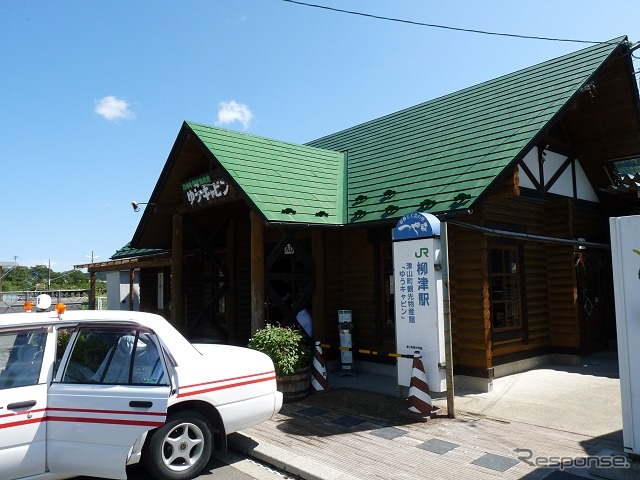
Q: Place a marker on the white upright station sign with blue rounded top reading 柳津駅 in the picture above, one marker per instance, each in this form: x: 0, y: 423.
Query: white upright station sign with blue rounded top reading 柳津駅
x: 418, y: 297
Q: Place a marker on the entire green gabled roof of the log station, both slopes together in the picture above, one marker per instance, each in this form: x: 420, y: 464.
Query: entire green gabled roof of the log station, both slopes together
x: 439, y: 156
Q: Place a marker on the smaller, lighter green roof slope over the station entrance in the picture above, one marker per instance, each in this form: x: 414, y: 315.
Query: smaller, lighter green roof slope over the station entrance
x: 280, y: 178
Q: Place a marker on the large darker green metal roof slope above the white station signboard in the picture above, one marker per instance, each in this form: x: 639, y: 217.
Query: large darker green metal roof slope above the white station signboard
x: 442, y: 155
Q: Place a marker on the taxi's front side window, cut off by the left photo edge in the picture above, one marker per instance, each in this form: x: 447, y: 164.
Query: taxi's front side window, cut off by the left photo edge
x: 21, y: 357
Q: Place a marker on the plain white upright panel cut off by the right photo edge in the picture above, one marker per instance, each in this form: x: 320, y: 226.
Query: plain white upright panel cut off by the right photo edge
x: 625, y: 255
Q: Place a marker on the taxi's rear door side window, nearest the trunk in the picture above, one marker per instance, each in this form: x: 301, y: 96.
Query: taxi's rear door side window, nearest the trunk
x: 105, y: 355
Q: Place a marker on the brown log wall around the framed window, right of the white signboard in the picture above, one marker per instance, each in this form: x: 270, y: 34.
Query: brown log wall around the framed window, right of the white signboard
x: 548, y: 276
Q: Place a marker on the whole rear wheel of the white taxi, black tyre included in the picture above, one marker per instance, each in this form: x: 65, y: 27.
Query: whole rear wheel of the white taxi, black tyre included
x: 180, y: 449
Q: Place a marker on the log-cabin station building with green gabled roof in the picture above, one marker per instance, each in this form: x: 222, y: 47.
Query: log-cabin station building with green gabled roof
x: 526, y: 170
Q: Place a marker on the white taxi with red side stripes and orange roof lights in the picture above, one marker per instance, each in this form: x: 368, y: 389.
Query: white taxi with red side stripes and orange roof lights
x: 89, y: 392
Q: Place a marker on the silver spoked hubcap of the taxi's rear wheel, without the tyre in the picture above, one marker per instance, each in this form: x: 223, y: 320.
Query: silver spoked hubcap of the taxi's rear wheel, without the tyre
x: 183, y: 447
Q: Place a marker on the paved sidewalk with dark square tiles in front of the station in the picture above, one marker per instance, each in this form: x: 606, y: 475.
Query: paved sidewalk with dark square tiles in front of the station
x: 531, y: 426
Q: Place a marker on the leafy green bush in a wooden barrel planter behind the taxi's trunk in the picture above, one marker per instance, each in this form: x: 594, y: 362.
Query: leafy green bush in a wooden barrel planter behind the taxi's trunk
x: 288, y: 349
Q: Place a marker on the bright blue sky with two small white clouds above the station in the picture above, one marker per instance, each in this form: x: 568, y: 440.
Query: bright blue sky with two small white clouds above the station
x: 93, y: 94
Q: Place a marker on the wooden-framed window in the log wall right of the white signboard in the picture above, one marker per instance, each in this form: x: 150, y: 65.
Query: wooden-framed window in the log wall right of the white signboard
x: 506, y: 311
